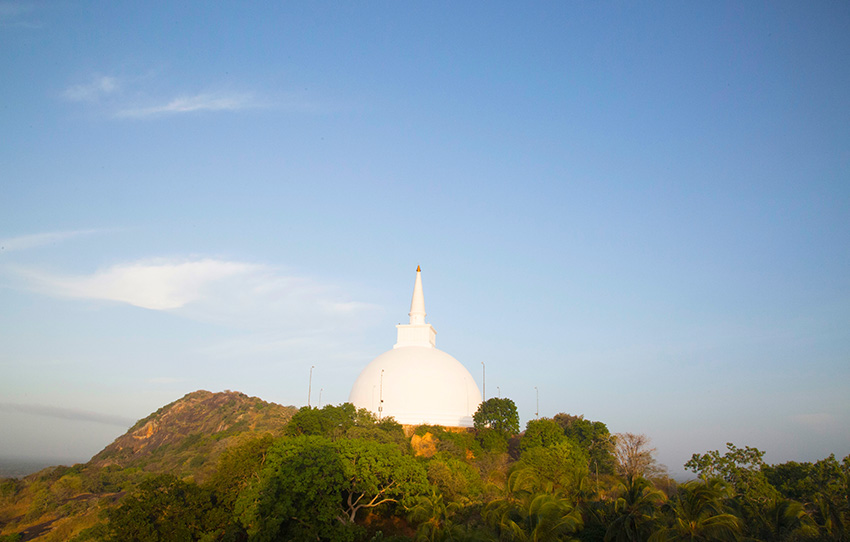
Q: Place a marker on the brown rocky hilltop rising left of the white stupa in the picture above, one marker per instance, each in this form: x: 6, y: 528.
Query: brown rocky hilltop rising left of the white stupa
x: 194, y: 428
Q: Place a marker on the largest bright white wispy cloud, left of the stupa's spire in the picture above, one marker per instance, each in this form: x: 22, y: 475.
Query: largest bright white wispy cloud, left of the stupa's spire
x: 240, y: 294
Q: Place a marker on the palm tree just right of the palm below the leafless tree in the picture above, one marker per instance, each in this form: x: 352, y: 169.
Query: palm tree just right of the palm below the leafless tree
x: 699, y: 514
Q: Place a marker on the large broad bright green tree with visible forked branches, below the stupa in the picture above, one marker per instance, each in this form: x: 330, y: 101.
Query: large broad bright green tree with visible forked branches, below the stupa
x: 313, y: 488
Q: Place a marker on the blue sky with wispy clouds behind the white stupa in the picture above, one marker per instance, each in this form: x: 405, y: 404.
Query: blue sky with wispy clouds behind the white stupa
x: 641, y: 209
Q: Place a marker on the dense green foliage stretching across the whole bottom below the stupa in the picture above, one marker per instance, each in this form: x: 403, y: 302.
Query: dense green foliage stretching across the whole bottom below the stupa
x: 339, y: 474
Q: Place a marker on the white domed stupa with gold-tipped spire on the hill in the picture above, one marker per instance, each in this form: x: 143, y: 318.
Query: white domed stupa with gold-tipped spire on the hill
x: 414, y: 382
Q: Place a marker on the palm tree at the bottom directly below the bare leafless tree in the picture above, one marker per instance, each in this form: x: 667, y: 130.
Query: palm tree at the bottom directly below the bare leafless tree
x: 636, y: 511
